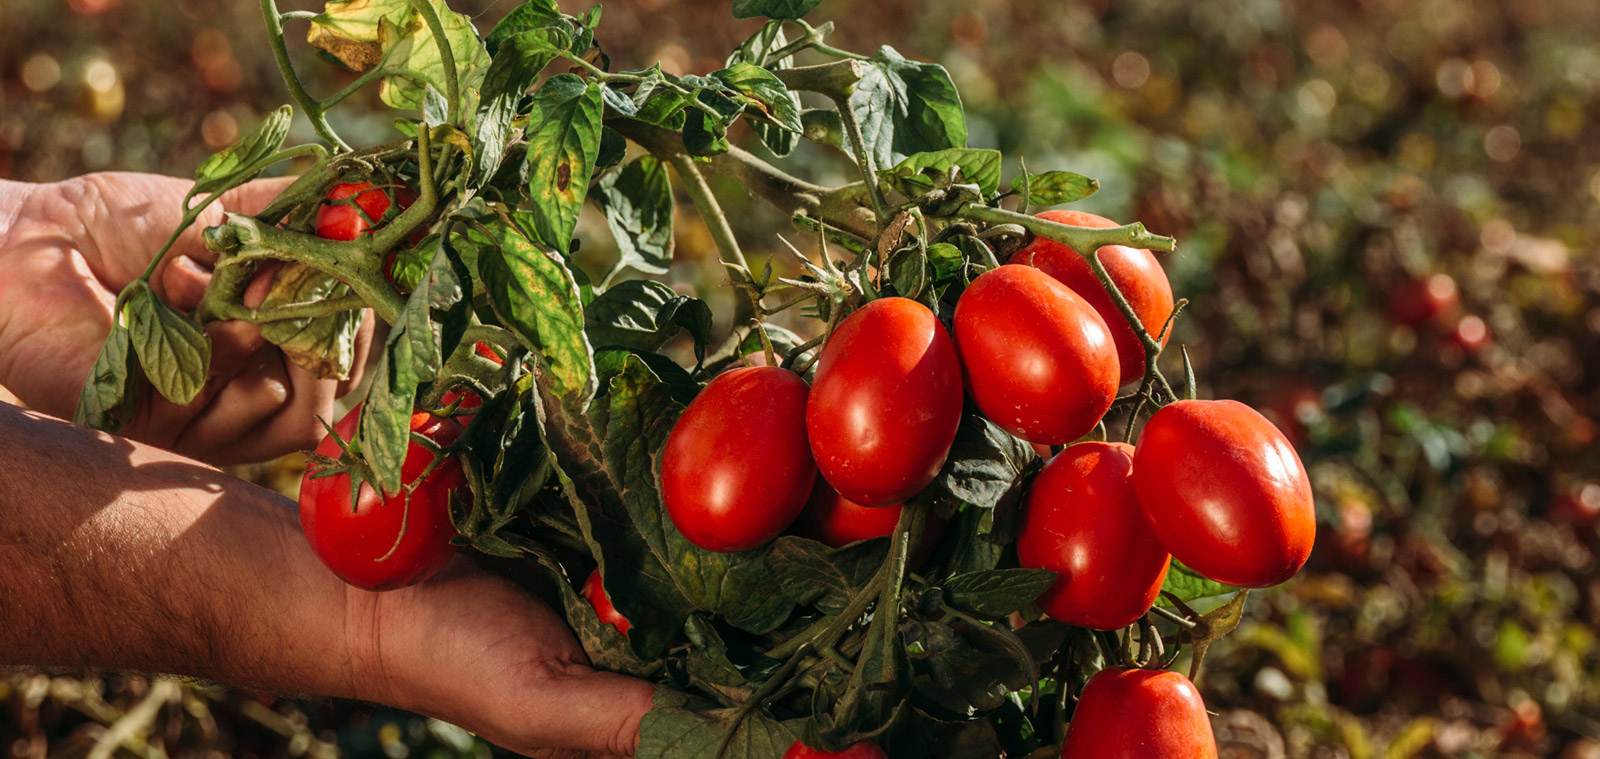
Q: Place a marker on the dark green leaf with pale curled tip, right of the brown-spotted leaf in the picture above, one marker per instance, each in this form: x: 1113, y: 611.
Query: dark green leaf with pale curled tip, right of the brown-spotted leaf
x: 638, y: 204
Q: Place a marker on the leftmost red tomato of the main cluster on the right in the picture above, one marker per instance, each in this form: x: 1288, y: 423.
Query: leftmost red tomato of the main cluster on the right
x: 737, y: 468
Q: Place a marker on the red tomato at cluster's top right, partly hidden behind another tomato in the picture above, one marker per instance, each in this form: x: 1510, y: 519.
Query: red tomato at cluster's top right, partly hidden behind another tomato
x: 1135, y: 271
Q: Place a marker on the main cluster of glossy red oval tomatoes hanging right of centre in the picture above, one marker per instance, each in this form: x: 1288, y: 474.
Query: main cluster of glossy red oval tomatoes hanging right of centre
x: 1041, y: 350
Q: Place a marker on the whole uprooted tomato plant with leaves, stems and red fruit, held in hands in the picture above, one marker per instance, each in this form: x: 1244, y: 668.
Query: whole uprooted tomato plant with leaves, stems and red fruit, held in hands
x: 607, y: 419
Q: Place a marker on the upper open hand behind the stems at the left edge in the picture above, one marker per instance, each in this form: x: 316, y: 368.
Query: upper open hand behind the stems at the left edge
x: 66, y: 254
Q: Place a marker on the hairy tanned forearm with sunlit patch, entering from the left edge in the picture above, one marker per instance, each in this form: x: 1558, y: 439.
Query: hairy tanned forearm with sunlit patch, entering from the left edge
x: 116, y: 555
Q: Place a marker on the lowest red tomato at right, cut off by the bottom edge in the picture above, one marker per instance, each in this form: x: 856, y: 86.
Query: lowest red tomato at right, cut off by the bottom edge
x: 1140, y: 715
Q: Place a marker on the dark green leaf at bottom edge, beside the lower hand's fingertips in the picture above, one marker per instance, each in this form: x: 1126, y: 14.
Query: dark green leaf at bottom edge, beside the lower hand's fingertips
x: 682, y: 728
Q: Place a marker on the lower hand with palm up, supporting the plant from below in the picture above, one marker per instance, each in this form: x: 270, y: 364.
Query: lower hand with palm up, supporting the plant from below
x: 473, y: 649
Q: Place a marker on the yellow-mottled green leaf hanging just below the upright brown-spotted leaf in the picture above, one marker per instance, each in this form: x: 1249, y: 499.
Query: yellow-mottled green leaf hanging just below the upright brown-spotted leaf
x: 535, y: 297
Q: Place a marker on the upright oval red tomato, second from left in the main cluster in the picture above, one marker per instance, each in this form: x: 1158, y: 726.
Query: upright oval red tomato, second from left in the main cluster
x: 886, y: 403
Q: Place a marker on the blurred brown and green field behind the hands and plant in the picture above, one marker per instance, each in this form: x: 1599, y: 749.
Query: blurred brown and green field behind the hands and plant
x: 1318, y: 163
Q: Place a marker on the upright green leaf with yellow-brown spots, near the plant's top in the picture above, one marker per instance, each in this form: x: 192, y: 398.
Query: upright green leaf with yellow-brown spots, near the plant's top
x: 564, y: 140
